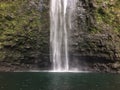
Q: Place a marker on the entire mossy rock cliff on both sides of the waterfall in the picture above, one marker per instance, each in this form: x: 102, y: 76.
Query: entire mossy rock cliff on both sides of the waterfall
x: 94, y: 39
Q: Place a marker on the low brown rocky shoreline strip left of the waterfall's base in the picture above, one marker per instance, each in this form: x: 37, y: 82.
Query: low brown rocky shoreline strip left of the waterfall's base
x: 8, y: 67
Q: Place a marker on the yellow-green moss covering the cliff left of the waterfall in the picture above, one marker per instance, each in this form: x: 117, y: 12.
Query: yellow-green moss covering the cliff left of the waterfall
x: 21, y: 30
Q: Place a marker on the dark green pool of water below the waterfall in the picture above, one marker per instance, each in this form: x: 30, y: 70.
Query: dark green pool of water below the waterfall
x: 59, y: 81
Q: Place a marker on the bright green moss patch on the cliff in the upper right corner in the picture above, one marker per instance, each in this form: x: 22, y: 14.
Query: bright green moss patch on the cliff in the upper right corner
x: 107, y: 14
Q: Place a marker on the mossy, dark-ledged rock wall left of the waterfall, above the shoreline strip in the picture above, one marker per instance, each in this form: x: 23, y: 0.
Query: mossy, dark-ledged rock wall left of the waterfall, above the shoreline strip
x: 24, y: 33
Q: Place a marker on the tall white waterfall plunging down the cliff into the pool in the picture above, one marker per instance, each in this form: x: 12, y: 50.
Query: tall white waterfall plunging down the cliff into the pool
x: 61, y: 12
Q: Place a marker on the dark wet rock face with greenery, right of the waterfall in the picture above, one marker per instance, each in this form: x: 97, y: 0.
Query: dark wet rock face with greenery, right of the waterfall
x: 96, y: 34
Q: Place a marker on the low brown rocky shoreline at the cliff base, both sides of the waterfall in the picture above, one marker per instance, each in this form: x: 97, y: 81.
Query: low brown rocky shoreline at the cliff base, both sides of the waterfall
x: 85, y: 65
